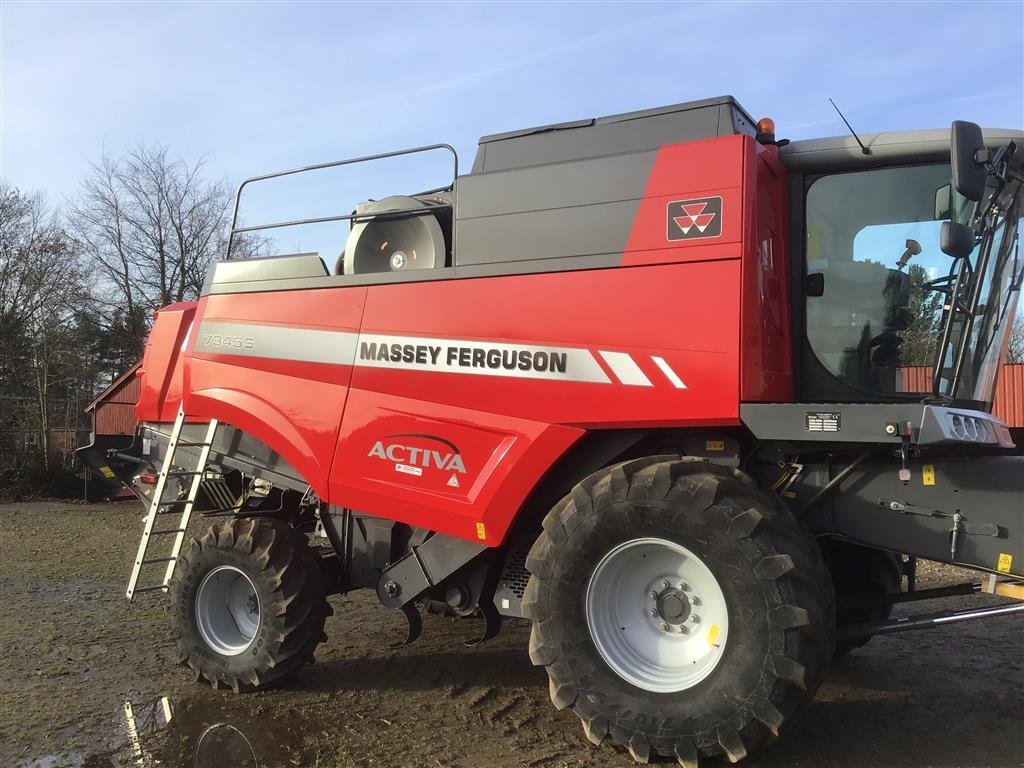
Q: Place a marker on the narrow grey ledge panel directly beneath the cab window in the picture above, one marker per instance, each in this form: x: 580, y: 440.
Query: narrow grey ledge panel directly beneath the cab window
x: 841, y: 422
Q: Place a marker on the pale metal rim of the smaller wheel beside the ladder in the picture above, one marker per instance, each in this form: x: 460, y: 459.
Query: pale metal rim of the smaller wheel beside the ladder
x: 228, y: 611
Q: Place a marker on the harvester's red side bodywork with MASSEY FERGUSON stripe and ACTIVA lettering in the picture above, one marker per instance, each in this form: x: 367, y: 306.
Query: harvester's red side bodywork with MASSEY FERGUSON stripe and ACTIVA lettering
x: 424, y: 422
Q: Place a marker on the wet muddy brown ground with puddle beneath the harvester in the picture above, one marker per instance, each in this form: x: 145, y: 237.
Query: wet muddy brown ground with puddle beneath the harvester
x: 74, y: 653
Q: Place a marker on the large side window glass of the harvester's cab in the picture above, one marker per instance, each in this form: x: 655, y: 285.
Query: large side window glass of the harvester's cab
x: 873, y: 245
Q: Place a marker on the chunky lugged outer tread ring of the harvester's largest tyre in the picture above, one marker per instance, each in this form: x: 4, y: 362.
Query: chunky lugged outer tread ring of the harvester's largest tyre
x: 791, y: 675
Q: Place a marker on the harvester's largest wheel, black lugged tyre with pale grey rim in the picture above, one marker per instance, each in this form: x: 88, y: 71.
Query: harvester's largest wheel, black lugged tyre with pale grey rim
x: 778, y: 594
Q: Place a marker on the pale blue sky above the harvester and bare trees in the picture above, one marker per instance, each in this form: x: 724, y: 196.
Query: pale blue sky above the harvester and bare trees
x: 257, y: 88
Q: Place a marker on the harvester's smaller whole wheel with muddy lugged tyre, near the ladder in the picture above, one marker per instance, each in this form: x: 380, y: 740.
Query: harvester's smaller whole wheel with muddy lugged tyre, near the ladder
x: 248, y: 605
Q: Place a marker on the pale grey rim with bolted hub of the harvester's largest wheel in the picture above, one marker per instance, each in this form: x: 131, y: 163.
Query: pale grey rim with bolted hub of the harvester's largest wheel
x: 657, y: 615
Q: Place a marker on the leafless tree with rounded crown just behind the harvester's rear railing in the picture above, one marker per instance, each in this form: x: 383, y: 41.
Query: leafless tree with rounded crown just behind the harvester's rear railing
x: 152, y: 224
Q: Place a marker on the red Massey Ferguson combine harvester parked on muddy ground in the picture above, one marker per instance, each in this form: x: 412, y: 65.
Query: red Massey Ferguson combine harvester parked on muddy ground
x: 634, y: 379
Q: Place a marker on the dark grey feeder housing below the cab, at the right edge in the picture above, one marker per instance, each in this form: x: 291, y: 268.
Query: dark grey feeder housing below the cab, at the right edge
x: 972, y: 516
